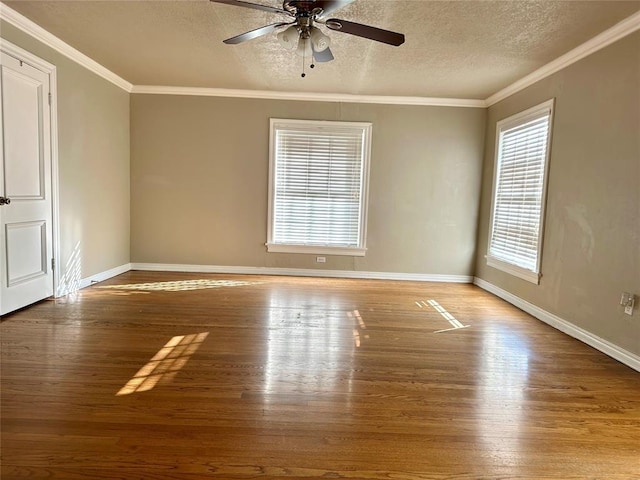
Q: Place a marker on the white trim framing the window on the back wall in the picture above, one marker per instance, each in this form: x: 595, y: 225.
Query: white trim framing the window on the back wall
x: 361, y: 249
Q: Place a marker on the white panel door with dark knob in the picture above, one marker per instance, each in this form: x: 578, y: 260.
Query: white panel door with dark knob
x: 26, y: 246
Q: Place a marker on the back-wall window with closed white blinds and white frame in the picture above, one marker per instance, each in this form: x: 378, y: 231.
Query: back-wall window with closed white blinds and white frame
x: 318, y: 182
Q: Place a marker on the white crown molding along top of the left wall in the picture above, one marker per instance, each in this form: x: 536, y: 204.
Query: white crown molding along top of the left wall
x: 23, y: 23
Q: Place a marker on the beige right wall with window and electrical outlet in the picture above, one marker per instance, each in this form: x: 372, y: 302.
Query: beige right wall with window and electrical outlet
x: 591, y: 250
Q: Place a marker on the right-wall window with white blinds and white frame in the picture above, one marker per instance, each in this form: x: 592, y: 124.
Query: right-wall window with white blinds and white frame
x: 519, y: 189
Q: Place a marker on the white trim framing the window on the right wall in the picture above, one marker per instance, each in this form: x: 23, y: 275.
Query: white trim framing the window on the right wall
x: 506, y: 124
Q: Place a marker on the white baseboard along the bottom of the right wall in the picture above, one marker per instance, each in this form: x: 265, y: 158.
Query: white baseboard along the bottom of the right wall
x: 624, y: 356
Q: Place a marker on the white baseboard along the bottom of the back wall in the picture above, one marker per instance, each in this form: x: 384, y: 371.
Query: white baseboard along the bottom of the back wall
x: 301, y: 272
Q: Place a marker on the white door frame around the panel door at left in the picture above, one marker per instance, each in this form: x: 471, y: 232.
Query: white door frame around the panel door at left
x: 50, y: 69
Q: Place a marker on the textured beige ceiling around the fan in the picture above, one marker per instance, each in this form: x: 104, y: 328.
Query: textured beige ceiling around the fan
x: 455, y: 49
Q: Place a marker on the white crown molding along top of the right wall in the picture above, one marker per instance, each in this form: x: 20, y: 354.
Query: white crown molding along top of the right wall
x: 615, y: 33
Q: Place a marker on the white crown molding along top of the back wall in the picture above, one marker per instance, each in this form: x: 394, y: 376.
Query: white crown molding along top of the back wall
x: 309, y: 97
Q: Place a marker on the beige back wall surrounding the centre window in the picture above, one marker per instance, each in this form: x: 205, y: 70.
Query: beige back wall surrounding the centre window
x: 199, y: 182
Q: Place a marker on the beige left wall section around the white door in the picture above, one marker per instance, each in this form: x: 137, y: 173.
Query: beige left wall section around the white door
x: 93, y: 157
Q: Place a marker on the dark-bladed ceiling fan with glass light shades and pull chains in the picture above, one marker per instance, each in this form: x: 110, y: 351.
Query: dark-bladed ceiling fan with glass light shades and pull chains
x: 302, y: 34
